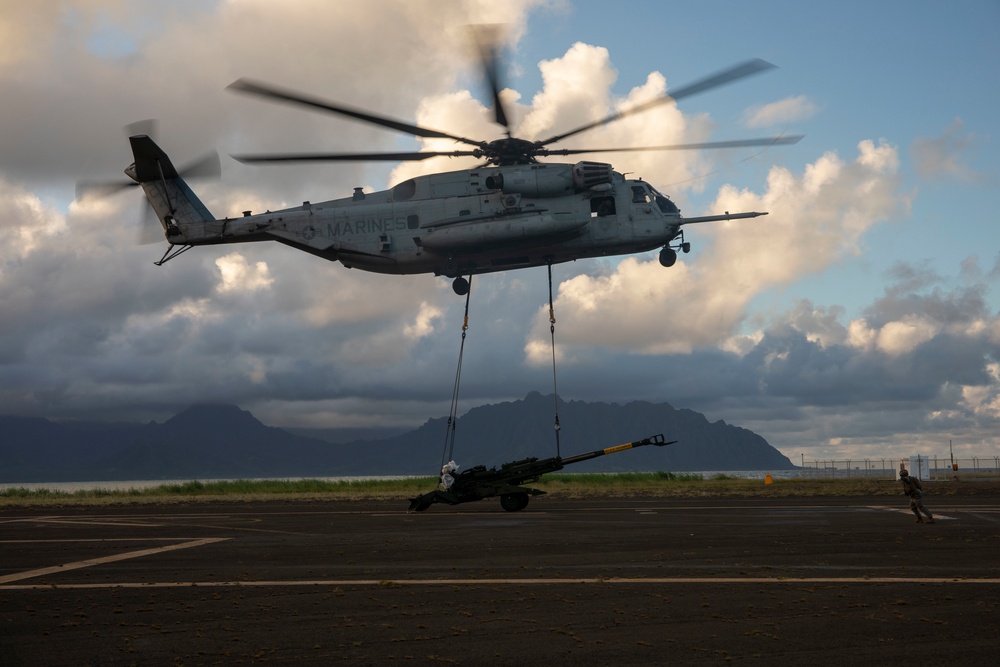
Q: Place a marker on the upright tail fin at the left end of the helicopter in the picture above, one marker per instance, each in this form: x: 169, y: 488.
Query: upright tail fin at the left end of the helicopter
x: 169, y: 195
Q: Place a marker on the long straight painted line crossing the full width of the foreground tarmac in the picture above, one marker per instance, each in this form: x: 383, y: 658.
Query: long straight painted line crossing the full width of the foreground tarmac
x: 398, y: 583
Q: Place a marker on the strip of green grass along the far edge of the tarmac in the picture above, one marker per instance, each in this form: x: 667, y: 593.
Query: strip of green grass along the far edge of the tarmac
x: 593, y: 485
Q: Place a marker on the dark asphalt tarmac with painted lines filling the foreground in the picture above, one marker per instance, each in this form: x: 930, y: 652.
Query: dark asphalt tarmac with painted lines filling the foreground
x: 564, y: 582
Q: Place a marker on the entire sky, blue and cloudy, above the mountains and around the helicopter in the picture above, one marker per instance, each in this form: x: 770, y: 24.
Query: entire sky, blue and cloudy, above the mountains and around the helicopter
x: 860, y: 318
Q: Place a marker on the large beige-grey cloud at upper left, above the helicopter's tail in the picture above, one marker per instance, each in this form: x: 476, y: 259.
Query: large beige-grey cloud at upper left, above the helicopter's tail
x: 179, y: 70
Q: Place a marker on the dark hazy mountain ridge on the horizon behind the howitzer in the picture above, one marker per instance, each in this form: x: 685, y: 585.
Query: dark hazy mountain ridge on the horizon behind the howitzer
x: 222, y: 441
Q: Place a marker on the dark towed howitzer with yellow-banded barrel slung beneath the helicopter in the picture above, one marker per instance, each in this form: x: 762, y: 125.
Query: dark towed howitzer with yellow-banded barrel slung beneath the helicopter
x: 477, y: 483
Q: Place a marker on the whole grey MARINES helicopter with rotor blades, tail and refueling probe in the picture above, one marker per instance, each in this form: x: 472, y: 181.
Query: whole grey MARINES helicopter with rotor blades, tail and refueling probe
x: 511, y: 212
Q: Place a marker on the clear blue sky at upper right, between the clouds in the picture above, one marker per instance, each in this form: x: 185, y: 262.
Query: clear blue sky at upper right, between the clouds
x: 894, y: 71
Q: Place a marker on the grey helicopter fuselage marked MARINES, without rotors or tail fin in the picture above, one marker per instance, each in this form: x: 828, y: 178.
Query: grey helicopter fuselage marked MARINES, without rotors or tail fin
x: 467, y: 222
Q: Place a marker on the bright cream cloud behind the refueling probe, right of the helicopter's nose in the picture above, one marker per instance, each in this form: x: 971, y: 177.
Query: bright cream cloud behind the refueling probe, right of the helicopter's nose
x: 816, y: 219
